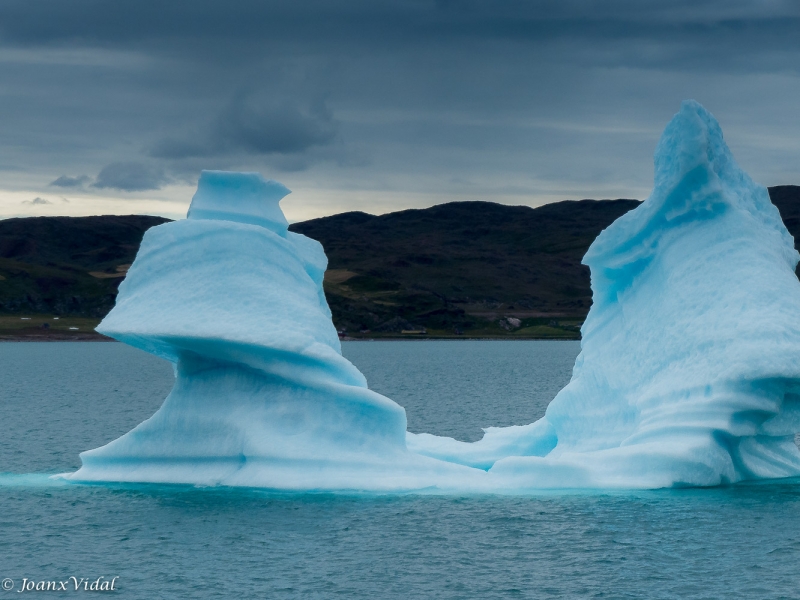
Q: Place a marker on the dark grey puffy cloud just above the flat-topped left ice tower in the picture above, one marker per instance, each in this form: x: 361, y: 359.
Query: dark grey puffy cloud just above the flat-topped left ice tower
x: 252, y: 127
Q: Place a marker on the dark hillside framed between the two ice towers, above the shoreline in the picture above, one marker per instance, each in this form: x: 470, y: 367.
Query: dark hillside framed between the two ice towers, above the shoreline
x: 455, y: 265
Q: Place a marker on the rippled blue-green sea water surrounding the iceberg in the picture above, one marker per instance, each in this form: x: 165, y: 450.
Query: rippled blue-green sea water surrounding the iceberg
x: 173, y: 542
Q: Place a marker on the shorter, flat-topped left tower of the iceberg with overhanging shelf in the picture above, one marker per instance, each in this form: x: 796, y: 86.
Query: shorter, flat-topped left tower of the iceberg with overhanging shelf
x: 263, y: 396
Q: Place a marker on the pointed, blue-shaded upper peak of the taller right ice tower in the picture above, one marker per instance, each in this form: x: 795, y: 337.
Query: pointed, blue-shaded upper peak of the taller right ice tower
x: 696, y: 180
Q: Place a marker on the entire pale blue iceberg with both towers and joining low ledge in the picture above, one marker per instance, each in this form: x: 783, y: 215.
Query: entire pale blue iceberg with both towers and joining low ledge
x: 689, y: 372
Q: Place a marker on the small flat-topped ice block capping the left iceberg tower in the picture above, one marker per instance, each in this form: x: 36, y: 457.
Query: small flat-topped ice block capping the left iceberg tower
x: 240, y: 197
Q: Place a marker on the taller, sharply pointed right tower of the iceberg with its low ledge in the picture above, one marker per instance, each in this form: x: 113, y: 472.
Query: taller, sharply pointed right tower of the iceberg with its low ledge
x: 689, y: 371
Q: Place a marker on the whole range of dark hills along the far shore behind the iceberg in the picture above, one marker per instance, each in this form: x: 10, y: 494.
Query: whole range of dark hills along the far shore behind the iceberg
x: 466, y: 268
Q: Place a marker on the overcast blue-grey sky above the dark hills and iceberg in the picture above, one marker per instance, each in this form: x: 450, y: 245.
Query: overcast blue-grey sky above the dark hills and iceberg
x: 116, y: 107
